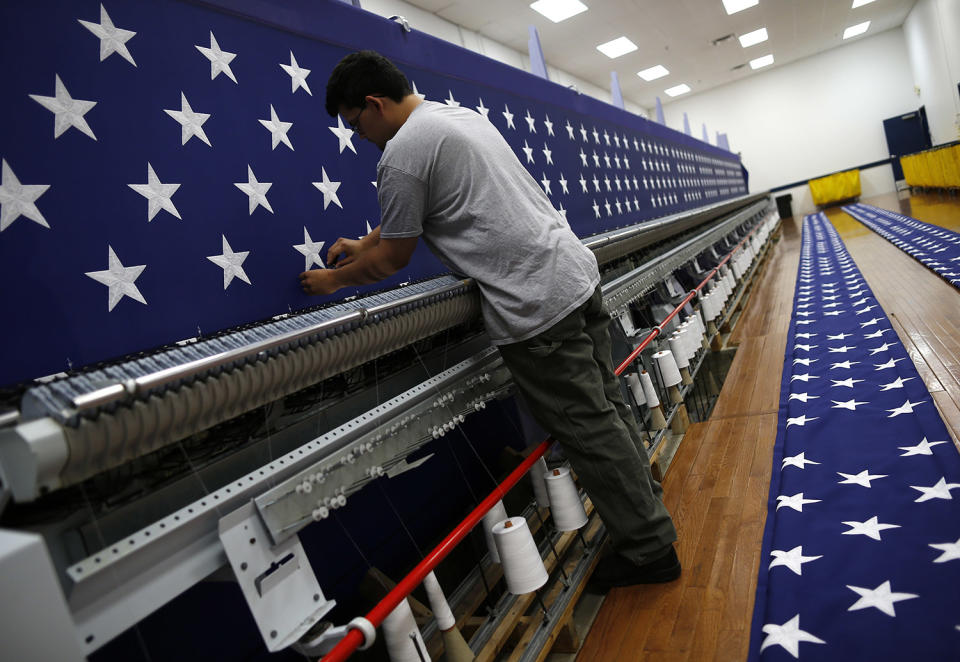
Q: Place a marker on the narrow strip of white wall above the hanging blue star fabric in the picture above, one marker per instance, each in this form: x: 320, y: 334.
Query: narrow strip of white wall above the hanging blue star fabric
x: 441, y: 28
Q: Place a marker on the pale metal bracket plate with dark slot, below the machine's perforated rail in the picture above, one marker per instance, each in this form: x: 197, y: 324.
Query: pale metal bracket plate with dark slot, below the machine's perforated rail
x: 281, y: 590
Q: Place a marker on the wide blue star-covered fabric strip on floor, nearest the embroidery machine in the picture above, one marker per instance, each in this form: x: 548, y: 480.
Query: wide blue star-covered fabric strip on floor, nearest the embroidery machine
x: 861, y: 552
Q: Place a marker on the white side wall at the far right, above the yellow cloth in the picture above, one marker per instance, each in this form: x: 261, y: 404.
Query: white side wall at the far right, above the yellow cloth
x: 932, y: 32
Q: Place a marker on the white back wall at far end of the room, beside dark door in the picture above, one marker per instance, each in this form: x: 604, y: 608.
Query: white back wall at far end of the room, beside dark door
x: 811, y: 117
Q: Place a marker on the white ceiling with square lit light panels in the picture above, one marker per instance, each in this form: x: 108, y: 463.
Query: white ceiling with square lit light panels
x: 679, y: 34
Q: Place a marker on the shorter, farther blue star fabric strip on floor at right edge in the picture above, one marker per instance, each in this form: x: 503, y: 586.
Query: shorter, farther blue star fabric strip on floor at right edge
x: 937, y: 248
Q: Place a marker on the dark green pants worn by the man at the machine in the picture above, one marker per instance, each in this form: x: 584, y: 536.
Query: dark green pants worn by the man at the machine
x: 566, y: 376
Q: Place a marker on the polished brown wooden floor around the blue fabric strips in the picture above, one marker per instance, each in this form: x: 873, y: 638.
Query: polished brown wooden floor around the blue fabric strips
x: 716, y: 487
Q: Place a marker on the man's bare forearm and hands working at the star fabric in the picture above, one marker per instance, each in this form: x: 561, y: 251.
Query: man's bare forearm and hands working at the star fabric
x: 371, y: 265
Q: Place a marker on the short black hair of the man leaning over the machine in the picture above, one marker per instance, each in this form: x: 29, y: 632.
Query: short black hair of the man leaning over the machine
x: 362, y: 74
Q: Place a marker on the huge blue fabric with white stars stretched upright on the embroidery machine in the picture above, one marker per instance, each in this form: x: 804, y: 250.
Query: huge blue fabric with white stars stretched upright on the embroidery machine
x: 168, y: 168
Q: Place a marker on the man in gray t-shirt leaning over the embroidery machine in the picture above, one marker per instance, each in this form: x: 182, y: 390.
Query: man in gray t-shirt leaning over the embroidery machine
x: 448, y: 176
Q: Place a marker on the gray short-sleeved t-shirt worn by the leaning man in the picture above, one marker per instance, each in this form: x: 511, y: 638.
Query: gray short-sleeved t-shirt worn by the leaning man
x: 449, y: 176
